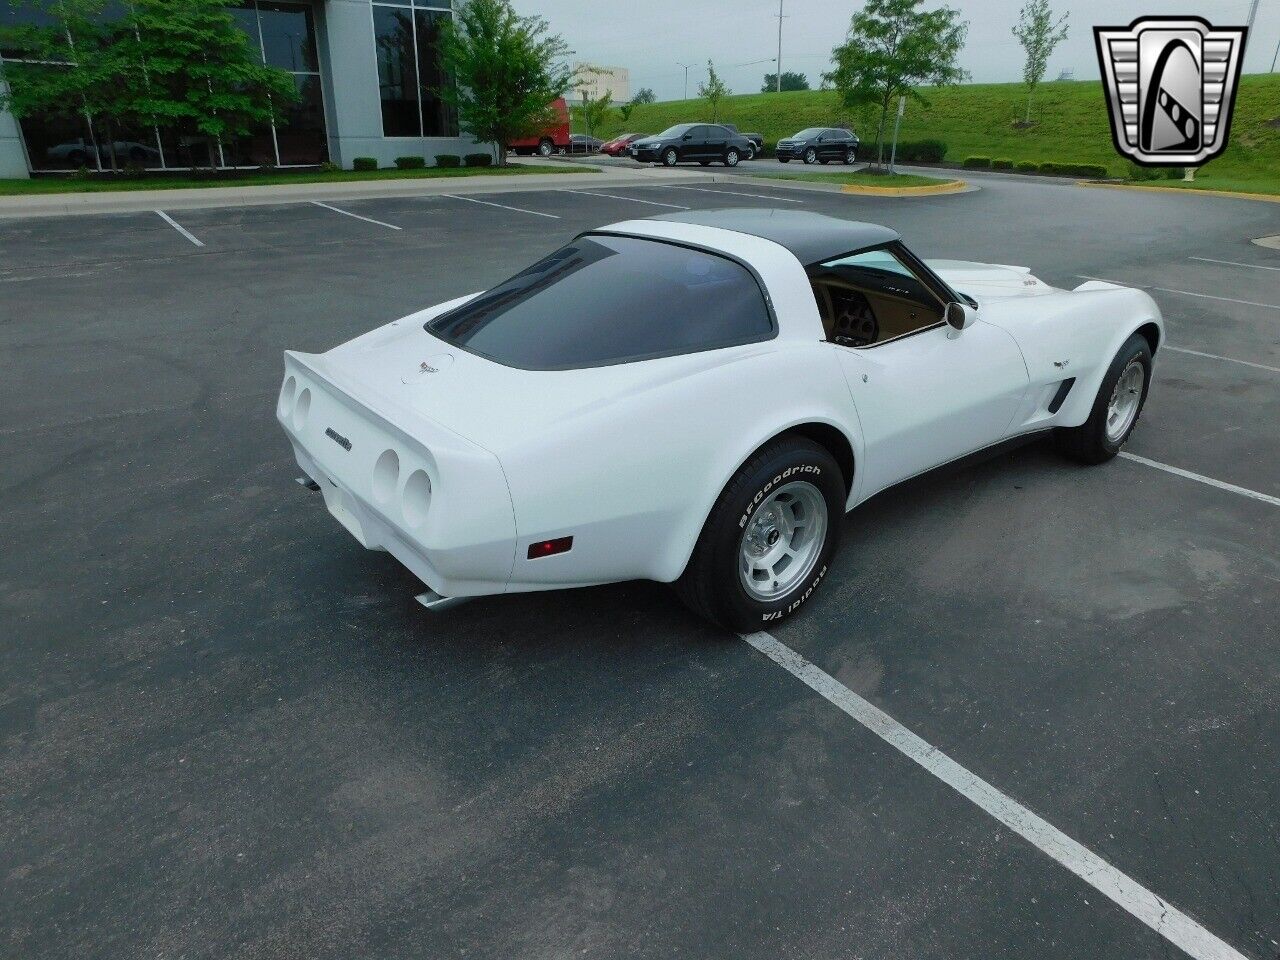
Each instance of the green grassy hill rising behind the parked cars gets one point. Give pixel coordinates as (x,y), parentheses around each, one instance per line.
(979,120)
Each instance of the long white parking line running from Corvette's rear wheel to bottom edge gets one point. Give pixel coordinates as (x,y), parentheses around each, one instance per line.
(1171,924)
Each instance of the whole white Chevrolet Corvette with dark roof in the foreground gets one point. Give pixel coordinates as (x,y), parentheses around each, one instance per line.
(697,399)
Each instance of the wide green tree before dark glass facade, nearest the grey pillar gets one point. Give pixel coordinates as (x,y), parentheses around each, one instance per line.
(198,72)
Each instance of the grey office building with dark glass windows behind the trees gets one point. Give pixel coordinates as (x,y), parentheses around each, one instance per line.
(368,76)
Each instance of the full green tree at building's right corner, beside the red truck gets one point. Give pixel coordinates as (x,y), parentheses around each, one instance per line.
(508,72)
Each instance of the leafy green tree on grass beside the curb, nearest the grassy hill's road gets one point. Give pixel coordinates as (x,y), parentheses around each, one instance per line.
(893,48)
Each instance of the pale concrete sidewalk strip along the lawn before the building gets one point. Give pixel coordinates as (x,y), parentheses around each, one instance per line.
(143,200)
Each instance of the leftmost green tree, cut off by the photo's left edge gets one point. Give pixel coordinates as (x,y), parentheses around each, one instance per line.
(77,70)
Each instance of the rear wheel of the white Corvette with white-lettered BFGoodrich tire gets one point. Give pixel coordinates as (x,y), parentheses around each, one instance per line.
(770,538)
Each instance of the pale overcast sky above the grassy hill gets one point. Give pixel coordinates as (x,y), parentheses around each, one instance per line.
(652,38)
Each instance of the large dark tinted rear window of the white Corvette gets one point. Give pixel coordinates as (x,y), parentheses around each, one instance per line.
(611,300)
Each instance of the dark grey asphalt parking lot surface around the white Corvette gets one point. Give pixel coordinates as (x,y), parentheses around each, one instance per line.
(228,730)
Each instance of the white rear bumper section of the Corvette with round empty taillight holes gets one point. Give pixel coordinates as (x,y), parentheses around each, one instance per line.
(399,481)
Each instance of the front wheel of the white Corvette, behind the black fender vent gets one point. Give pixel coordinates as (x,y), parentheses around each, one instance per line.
(1116,410)
